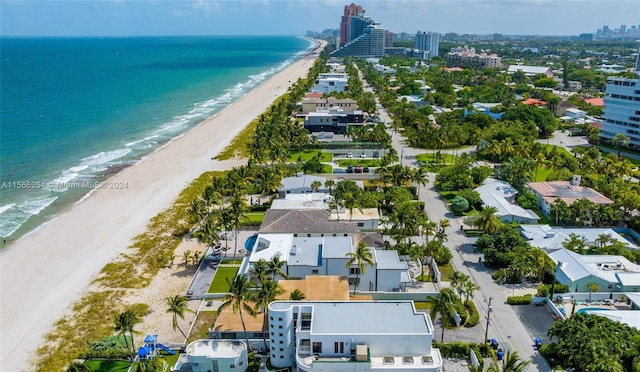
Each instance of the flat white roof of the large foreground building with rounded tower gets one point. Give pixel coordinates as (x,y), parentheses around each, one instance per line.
(363,317)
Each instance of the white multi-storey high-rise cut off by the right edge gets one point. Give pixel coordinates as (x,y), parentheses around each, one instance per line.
(622,109)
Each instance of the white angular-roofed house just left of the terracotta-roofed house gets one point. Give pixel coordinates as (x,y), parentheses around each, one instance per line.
(501,195)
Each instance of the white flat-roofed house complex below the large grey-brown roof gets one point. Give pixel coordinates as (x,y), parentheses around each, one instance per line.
(305,256)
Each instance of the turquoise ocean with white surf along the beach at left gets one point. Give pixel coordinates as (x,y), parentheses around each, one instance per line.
(74,111)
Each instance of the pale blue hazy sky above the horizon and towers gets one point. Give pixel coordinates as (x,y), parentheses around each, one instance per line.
(295,17)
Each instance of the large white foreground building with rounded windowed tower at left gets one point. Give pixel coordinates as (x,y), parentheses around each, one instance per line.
(351,336)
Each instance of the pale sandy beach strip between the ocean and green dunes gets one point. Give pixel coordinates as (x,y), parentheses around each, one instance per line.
(46,271)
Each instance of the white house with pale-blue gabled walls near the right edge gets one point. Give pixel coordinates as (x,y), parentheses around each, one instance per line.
(576,271)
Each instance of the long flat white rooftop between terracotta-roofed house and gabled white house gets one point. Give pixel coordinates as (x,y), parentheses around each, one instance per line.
(547,237)
